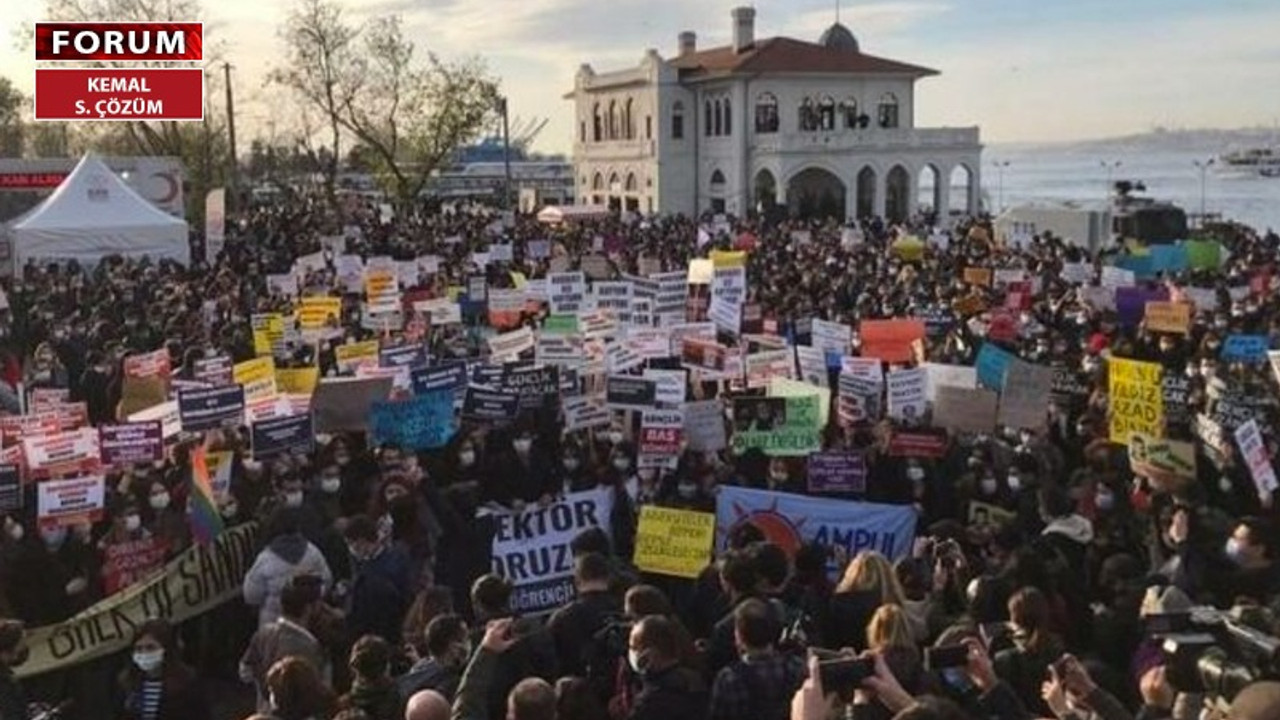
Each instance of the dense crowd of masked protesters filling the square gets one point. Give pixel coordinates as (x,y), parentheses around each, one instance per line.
(373,598)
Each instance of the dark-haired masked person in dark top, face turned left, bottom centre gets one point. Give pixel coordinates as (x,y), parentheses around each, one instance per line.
(669,691)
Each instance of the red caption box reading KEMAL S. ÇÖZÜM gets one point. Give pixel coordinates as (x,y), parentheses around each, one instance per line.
(127,94)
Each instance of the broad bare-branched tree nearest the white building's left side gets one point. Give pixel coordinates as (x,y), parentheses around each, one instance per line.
(413,119)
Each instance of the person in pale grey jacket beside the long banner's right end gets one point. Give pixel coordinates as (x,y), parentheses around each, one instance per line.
(286,555)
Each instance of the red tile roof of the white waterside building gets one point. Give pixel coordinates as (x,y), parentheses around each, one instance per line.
(788,56)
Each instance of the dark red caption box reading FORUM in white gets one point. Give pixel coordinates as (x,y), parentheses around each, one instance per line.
(120,42)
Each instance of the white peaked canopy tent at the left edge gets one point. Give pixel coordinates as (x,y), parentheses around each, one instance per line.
(92,216)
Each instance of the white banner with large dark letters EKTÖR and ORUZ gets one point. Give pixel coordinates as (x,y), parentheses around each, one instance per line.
(532,548)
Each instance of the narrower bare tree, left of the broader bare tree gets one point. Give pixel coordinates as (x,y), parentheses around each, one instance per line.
(321,49)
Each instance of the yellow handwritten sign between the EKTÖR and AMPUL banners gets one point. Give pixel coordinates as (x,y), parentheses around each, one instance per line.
(674,543)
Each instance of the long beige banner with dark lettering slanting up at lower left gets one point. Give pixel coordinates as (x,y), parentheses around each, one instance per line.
(200,580)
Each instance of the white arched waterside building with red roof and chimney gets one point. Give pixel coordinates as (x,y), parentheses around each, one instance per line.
(696,133)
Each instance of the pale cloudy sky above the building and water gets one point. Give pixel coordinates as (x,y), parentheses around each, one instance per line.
(1022,70)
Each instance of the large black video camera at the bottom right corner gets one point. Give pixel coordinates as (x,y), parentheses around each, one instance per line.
(1213,654)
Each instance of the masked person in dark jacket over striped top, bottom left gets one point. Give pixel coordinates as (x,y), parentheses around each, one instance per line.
(157,685)
